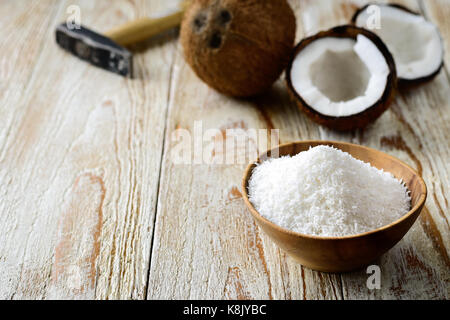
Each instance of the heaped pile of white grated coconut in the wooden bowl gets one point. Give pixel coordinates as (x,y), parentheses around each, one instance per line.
(326,192)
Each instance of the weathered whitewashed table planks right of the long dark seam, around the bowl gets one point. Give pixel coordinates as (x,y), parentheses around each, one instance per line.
(275,111)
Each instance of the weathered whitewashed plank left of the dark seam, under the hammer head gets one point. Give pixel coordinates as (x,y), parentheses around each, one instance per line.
(80,166)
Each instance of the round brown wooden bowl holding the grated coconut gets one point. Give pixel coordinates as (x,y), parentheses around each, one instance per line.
(341,254)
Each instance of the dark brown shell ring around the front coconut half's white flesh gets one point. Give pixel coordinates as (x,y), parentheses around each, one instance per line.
(359,120)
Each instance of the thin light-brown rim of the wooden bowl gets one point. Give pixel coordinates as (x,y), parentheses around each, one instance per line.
(258,216)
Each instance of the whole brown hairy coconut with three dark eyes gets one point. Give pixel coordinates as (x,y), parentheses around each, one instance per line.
(238,47)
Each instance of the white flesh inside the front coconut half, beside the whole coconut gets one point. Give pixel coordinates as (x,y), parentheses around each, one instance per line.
(340,77)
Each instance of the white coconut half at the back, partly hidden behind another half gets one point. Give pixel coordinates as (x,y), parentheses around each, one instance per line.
(414,42)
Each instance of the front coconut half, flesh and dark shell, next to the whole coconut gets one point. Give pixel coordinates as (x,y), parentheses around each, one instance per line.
(343,78)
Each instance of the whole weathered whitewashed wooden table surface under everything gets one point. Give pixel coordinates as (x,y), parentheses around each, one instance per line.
(92,206)
